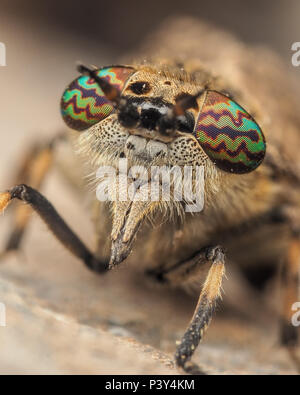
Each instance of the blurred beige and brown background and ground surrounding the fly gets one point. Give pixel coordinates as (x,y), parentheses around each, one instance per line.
(44,287)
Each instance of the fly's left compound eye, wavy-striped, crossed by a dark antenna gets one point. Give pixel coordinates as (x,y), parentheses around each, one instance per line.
(84,104)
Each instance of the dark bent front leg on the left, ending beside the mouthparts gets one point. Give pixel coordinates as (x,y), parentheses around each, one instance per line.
(54,222)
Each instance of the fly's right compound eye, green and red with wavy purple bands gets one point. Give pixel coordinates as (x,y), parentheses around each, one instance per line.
(229,135)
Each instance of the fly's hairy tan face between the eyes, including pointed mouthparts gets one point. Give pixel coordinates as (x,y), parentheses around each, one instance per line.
(152,94)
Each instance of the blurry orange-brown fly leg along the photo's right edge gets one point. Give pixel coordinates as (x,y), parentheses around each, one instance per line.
(289,334)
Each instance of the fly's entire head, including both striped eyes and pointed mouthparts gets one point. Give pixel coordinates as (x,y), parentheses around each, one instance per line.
(163,116)
